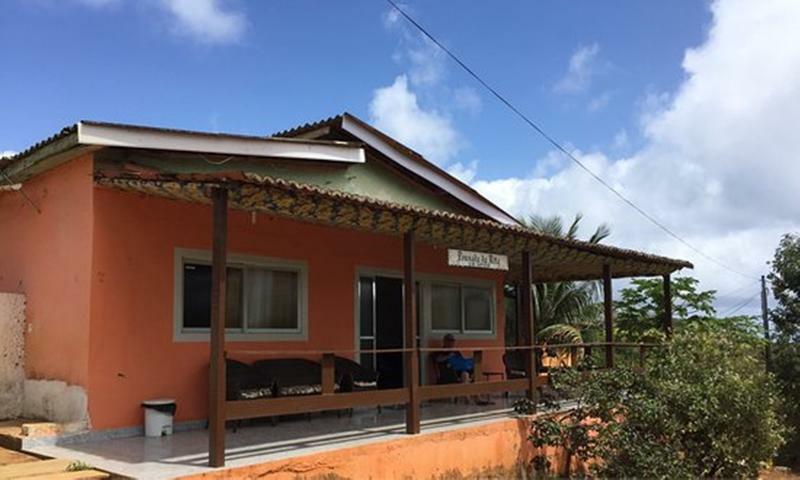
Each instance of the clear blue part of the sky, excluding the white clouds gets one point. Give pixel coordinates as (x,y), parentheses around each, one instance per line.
(300,61)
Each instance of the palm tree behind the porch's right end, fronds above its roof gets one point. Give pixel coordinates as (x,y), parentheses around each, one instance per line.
(566,311)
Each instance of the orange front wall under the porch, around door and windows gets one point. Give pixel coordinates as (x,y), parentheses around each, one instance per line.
(132,353)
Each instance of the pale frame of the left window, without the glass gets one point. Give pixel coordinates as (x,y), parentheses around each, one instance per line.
(182,256)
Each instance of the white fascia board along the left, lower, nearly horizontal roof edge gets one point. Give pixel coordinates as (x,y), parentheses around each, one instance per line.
(145,138)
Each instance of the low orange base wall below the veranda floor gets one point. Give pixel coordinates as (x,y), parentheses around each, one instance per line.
(498,449)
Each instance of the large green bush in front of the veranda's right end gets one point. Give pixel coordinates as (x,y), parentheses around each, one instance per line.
(703,406)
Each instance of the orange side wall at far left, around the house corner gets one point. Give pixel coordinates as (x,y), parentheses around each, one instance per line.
(47,256)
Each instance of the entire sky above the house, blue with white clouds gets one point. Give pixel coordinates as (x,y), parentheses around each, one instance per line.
(688,107)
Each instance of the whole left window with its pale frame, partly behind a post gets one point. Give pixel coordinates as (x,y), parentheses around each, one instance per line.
(263,297)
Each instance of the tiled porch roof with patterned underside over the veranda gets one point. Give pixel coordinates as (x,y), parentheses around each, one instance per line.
(554,258)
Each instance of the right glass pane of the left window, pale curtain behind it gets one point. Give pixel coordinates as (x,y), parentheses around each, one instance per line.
(271,298)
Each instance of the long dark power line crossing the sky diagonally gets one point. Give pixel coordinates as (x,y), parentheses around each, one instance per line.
(556,144)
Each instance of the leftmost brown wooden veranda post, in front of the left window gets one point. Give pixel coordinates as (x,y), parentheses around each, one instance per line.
(216,400)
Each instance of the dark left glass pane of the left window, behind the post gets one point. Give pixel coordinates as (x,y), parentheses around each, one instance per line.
(197,296)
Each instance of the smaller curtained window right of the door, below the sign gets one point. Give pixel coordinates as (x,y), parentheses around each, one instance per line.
(461,308)
